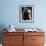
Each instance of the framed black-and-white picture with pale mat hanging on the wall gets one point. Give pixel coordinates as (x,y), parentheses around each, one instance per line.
(26,13)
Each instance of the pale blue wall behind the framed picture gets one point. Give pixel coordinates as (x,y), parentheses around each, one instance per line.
(10,13)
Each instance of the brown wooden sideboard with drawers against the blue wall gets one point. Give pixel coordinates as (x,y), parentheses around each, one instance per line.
(23,39)
